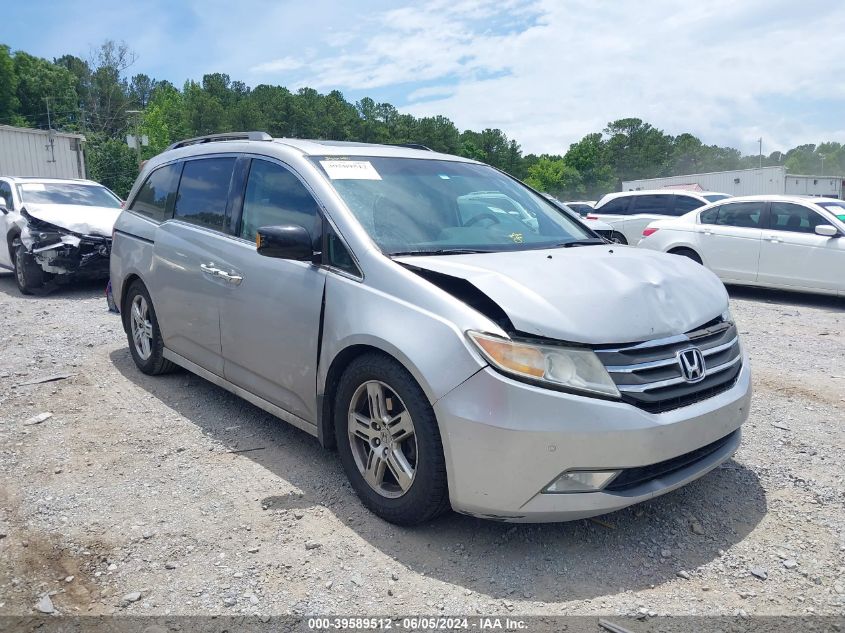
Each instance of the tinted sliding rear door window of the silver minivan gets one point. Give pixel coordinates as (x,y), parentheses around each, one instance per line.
(204,191)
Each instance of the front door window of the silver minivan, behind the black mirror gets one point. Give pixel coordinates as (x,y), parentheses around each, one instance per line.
(275,196)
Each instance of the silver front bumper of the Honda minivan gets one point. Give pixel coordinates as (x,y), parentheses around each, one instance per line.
(505,441)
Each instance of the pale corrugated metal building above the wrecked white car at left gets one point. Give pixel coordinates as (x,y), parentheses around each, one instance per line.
(40,153)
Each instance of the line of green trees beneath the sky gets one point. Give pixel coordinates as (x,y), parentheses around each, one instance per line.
(101,99)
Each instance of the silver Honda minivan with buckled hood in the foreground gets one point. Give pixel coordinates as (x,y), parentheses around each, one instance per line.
(512,366)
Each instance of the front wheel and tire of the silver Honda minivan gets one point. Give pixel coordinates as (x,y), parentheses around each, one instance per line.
(425,494)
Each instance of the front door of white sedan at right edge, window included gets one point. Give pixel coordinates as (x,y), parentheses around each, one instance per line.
(793,255)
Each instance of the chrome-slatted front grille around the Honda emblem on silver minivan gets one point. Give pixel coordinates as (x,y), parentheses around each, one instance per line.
(649,375)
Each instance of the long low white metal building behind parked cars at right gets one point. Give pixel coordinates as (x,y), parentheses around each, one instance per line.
(744,182)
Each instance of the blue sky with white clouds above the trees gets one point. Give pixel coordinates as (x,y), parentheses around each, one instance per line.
(546,72)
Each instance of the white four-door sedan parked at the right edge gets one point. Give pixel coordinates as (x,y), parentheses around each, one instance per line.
(786,242)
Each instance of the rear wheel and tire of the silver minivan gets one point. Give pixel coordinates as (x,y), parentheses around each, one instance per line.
(141,322)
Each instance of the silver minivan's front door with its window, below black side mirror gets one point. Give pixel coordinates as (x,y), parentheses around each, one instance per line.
(270,318)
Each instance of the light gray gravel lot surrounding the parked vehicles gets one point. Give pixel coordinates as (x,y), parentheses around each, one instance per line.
(133,497)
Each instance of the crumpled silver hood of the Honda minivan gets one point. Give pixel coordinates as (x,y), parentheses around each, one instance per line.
(590,294)
